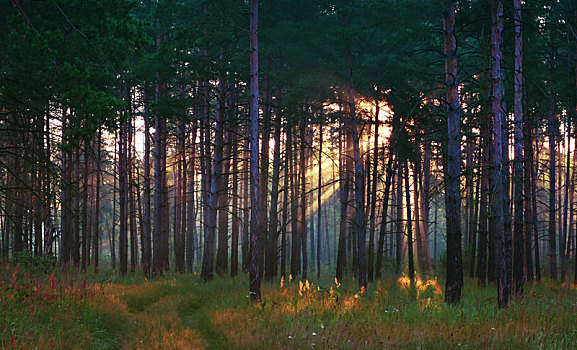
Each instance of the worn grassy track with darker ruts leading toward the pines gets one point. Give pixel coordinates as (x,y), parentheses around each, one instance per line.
(170,314)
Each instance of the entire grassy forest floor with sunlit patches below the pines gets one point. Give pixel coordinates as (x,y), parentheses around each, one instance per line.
(87,311)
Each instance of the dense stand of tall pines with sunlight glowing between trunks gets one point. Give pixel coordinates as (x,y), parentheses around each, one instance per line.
(368,135)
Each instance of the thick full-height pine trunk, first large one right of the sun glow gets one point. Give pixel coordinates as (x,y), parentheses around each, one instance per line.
(454,281)
